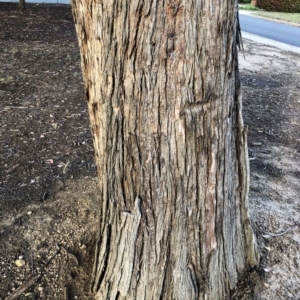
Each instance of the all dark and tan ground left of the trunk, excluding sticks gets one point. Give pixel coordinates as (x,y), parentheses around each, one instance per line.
(47,183)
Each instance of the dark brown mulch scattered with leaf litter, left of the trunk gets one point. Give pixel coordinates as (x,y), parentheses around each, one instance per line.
(44,135)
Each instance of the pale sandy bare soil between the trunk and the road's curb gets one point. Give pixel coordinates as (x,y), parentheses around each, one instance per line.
(271,88)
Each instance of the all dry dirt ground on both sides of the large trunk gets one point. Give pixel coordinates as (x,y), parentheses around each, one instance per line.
(48,191)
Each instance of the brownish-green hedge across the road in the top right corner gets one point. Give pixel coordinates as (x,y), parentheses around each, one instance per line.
(292,6)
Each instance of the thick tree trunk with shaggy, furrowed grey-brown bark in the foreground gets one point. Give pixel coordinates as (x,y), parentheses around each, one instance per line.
(163,93)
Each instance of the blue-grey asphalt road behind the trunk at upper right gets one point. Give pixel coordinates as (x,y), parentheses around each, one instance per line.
(272,30)
